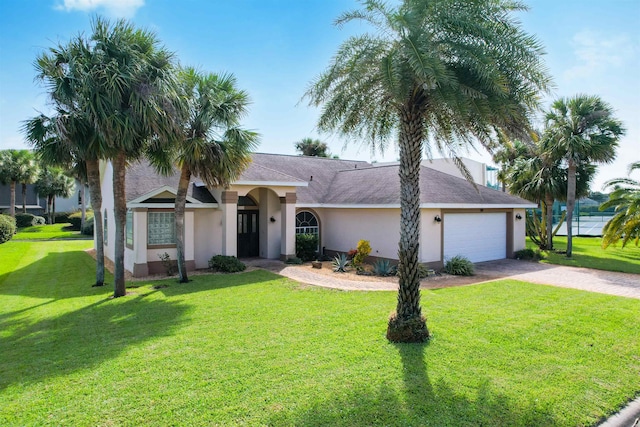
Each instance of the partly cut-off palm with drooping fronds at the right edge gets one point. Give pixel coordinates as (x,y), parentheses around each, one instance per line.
(625,197)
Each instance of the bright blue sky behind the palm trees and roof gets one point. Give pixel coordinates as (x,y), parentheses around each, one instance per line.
(276,47)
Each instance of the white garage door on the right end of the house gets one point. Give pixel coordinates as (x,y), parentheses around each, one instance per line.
(477,236)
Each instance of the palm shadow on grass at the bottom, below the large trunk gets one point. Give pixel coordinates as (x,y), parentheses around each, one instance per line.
(418,403)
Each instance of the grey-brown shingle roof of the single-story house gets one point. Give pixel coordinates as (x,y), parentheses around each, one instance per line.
(334,182)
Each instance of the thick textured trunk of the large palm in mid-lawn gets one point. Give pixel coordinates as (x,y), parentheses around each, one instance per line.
(407,323)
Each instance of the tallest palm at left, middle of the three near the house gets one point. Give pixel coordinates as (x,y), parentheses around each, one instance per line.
(123,84)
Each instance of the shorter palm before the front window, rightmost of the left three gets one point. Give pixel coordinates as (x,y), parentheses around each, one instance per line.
(212,145)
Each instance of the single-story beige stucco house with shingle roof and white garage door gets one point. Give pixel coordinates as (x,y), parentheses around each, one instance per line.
(342,201)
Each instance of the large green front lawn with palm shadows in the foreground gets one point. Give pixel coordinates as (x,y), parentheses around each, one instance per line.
(256,349)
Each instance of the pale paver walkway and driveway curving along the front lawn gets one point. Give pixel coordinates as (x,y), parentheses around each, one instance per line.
(606,282)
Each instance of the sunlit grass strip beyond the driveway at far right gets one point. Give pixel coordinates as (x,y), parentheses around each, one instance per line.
(588,252)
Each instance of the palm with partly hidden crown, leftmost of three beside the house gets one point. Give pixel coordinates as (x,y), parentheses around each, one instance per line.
(68,140)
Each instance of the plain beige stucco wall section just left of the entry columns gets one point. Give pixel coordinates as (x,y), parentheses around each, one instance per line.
(208,236)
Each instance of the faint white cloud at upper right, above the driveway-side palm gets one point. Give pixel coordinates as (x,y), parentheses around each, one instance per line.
(597,52)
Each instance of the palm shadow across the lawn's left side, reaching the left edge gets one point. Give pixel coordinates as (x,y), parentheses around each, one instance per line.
(75,340)
